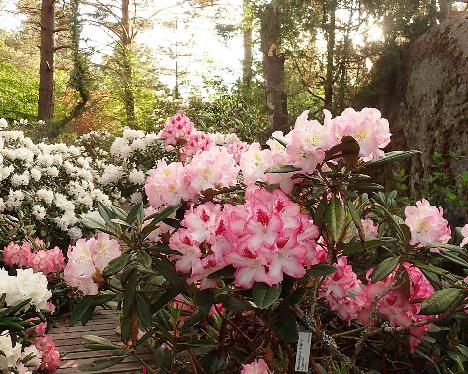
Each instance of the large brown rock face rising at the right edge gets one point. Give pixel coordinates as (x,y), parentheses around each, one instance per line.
(429,109)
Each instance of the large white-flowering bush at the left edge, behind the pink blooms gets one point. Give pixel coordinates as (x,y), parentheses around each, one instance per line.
(52,184)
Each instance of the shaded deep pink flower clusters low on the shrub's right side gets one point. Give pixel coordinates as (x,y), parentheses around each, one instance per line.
(351,300)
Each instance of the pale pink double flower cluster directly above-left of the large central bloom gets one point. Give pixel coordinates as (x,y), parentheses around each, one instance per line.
(171,184)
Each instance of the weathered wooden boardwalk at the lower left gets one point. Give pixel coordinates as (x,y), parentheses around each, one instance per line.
(73,353)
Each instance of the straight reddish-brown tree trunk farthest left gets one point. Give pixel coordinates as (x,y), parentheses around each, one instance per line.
(46,72)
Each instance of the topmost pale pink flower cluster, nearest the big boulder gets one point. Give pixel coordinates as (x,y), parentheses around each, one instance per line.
(366,126)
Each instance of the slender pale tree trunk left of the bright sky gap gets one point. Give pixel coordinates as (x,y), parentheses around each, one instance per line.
(126,40)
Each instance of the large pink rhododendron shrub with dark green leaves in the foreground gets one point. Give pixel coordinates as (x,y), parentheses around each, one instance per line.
(241,246)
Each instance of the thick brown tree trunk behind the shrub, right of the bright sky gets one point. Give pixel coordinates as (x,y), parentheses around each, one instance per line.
(273,68)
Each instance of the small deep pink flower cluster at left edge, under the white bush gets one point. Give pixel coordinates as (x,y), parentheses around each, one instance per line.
(37,257)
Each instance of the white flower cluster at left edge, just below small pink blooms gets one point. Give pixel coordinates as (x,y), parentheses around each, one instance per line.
(25,285)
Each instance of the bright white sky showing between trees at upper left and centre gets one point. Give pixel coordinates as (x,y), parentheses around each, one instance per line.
(210,55)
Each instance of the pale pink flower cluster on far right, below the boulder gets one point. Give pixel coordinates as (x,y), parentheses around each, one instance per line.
(427,224)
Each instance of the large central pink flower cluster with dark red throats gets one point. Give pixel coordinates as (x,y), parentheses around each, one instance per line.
(262,239)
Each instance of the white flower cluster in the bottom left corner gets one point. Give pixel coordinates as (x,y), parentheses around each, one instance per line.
(14,355)
